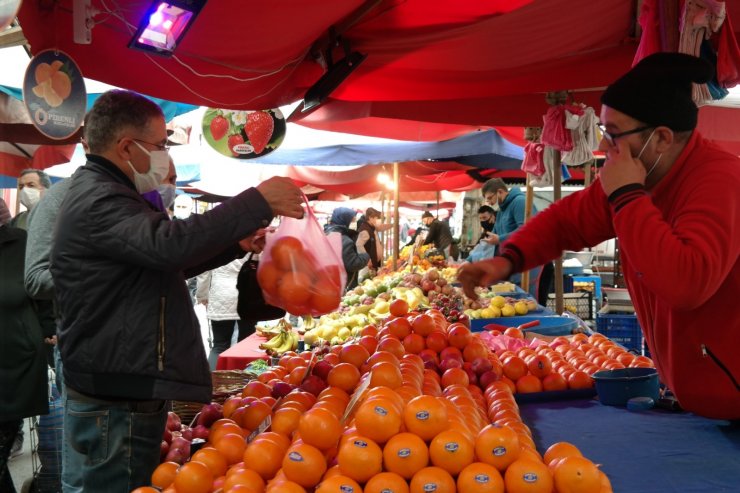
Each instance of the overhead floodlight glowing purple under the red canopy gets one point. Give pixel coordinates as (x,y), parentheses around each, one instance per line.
(164,25)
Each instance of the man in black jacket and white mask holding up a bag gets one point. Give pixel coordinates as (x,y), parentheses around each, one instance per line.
(129,337)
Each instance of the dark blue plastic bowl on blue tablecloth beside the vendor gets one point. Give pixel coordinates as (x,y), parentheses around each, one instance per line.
(616,387)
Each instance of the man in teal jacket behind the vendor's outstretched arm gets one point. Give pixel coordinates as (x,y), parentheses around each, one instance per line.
(509,205)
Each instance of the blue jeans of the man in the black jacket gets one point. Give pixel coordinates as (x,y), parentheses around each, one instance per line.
(118,442)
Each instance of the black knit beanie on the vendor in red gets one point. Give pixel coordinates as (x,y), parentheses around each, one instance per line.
(657,91)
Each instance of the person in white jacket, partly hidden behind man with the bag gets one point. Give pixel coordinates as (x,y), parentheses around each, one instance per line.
(216,289)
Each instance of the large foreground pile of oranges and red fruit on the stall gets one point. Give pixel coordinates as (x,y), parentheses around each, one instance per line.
(413,403)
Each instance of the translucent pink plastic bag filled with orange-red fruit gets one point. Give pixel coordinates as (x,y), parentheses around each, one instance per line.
(301,269)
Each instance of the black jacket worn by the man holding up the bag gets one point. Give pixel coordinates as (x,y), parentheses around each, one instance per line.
(128,328)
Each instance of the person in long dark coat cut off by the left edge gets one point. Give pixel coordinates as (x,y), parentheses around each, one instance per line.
(23,381)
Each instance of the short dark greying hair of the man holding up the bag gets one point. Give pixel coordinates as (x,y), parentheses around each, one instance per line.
(115,112)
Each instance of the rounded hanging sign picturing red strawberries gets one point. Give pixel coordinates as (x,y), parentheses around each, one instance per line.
(244,134)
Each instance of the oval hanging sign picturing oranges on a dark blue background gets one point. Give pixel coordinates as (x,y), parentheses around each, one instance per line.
(54,94)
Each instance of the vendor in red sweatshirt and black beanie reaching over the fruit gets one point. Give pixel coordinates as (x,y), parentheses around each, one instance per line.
(673,201)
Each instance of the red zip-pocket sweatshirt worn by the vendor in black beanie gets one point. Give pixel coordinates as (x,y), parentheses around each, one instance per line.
(680,252)
